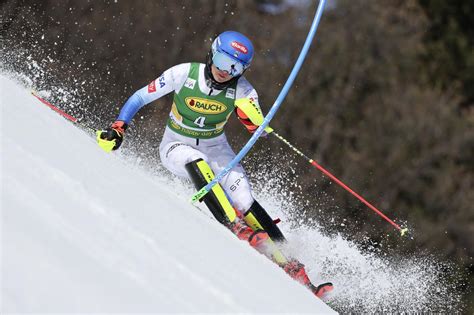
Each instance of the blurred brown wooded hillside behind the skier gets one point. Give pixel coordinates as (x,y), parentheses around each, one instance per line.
(385,99)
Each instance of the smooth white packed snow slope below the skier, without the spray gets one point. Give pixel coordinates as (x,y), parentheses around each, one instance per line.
(83,231)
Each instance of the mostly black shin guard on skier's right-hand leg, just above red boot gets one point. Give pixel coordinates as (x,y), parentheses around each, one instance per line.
(257,218)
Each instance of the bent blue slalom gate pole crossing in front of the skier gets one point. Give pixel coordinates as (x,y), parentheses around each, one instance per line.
(284,91)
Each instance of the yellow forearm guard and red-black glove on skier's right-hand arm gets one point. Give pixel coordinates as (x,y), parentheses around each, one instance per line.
(250,115)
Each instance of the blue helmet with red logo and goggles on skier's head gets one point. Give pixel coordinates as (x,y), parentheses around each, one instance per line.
(232,52)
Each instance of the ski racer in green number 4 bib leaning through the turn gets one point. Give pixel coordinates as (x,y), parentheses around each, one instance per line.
(195,146)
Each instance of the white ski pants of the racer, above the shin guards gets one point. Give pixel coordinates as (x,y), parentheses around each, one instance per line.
(177,150)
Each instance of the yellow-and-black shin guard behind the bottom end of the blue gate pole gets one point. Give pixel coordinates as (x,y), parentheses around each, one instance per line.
(216,200)
